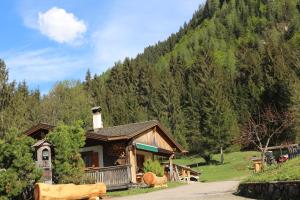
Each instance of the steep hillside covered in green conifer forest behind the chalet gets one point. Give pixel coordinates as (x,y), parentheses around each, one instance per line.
(231,60)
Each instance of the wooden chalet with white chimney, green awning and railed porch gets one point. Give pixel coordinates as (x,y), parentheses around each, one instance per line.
(115,155)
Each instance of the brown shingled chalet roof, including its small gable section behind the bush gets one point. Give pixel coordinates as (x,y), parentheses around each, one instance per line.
(121,132)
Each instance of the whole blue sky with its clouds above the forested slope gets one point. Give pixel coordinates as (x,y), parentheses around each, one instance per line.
(46,41)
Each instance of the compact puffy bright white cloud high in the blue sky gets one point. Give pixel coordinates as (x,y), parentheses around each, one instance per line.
(61,26)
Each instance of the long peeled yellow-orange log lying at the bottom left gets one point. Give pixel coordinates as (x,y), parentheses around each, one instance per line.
(44,191)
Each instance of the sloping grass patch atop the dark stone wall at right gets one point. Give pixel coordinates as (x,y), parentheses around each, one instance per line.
(287,171)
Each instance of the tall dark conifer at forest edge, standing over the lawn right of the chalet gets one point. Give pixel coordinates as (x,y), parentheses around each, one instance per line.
(216,120)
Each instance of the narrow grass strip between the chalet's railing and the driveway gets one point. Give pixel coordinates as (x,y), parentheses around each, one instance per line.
(135,191)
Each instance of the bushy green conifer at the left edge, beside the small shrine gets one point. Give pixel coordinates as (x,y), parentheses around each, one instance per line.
(18,172)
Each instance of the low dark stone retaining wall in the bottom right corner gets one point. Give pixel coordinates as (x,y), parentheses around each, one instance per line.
(271,190)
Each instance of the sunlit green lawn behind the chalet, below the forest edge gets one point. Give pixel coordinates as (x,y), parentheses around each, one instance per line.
(235,167)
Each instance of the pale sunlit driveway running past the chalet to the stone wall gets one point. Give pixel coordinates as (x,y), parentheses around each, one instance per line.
(193,191)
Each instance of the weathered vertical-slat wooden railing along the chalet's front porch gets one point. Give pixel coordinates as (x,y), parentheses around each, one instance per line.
(115,177)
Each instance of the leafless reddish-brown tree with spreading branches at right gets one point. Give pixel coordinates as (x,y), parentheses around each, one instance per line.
(260,129)
